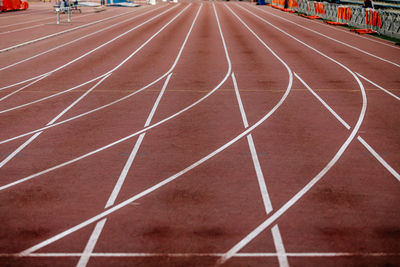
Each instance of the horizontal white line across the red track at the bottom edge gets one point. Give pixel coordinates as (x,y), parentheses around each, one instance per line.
(243,255)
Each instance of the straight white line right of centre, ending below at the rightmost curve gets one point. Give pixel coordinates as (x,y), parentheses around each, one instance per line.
(260,176)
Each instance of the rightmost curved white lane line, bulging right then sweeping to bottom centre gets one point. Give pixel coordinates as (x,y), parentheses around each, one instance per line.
(247,239)
